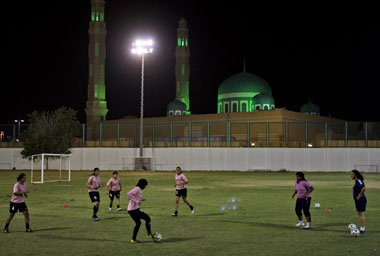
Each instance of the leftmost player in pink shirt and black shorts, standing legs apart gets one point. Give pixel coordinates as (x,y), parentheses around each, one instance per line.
(18,203)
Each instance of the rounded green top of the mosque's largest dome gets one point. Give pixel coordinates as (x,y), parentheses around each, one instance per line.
(244,82)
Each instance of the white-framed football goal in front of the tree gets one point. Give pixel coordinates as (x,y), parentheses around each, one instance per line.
(50,168)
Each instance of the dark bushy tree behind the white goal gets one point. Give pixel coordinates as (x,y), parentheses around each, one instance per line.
(51,132)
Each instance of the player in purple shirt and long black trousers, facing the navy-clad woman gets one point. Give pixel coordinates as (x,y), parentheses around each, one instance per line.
(303,189)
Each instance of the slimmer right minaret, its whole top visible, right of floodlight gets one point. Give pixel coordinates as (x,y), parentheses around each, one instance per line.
(182,67)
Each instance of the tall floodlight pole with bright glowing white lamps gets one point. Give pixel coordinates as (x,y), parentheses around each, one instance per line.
(142,47)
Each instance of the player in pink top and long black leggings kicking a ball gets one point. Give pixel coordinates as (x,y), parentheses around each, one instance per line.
(135,199)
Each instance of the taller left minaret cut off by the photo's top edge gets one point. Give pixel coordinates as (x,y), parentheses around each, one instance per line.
(96,107)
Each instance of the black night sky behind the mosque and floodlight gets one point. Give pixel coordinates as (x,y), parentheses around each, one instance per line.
(323,56)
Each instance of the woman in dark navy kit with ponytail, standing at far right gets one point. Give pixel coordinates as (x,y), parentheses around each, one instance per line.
(359,197)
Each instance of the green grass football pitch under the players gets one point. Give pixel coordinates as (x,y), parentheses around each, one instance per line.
(263,223)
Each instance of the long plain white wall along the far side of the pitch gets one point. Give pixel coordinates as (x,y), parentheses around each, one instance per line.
(242,159)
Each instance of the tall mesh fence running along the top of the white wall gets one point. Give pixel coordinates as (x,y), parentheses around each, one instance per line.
(215,134)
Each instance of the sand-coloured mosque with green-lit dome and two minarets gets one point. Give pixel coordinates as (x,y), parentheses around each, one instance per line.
(244,98)
